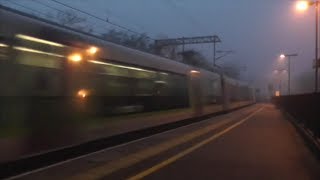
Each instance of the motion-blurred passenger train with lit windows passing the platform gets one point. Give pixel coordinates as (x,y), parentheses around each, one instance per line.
(62,87)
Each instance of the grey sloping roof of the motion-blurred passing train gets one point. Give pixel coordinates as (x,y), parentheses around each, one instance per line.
(112,51)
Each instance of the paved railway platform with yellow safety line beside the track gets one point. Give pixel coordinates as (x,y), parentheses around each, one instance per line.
(256,142)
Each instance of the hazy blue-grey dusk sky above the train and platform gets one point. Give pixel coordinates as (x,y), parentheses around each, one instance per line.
(257,30)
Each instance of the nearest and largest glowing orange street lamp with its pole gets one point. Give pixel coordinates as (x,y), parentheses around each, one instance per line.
(302,6)
